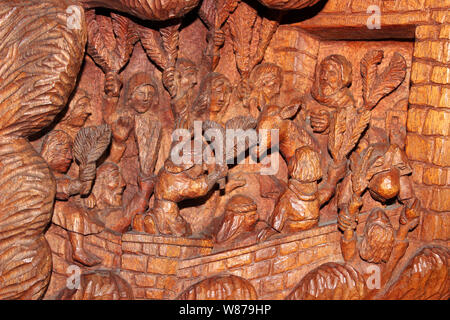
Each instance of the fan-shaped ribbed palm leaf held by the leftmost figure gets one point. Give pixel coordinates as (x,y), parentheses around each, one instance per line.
(90,143)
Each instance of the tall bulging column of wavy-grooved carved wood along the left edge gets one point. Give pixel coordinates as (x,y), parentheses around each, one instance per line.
(42,46)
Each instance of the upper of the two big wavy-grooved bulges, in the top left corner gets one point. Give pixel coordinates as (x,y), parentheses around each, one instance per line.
(36,84)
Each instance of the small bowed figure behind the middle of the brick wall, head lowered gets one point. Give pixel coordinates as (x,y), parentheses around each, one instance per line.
(240,224)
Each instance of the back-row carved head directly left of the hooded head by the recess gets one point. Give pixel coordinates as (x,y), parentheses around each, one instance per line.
(266,79)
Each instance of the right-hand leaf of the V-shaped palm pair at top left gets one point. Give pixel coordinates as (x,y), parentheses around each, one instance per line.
(126,36)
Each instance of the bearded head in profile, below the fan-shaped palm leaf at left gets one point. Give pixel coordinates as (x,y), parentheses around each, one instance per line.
(109,186)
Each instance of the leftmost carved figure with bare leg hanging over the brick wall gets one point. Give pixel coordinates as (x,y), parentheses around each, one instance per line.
(69,213)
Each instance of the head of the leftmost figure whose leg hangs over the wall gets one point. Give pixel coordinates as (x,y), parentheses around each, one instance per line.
(52,145)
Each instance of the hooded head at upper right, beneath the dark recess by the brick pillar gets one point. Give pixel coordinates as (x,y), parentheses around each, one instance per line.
(333,74)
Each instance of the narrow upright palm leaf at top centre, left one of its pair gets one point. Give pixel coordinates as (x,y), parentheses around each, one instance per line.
(241,23)
